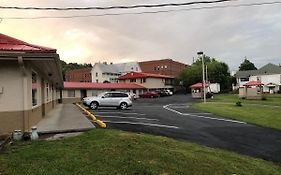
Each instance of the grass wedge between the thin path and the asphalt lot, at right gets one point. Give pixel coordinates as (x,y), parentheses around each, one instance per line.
(263,116)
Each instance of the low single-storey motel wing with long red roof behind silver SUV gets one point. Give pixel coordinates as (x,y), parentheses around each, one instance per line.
(74,91)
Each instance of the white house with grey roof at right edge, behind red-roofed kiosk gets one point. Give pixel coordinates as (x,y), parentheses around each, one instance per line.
(269,75)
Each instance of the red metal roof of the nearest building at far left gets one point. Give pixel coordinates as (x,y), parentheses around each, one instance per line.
(8,43)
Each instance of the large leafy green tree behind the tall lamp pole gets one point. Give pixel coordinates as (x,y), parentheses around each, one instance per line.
(218,72)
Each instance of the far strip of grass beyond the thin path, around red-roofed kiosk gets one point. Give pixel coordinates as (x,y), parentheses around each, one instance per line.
(272,99)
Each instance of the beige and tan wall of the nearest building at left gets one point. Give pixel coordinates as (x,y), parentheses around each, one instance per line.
(16,110)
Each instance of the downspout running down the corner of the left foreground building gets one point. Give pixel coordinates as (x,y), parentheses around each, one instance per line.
(24,84)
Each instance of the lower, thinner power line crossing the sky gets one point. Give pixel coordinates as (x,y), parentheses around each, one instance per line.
(148,12)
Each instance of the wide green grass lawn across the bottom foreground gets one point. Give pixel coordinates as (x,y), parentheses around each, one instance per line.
(117,152)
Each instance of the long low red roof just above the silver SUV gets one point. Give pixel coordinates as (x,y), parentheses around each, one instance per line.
(87,85)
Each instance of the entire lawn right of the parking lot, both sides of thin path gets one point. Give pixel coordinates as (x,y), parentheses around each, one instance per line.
(267,116)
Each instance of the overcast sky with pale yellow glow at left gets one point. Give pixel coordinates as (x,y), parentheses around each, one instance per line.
(227,34)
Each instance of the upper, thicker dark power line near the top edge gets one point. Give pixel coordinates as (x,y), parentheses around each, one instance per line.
(115,7)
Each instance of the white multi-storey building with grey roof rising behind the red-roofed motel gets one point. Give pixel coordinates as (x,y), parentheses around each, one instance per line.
(104,72)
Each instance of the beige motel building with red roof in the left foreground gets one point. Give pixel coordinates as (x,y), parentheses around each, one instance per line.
(30,83)
